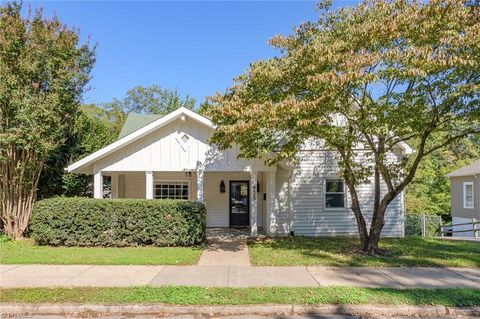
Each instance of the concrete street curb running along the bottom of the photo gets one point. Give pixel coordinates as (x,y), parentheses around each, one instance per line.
(9,309)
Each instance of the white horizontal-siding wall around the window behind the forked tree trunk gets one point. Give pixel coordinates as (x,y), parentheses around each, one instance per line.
(311,218)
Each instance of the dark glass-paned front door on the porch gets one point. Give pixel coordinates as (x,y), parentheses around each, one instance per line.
(239,203)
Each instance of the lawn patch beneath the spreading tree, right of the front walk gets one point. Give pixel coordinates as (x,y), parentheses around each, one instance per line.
(409,251)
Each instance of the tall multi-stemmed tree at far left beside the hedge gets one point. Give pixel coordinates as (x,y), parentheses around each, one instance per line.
(43,73)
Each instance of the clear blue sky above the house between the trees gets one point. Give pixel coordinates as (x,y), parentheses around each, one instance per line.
(196,47)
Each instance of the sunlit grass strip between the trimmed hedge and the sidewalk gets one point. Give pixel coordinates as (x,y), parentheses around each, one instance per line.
(24,252)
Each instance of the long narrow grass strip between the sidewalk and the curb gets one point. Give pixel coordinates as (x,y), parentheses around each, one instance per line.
(244,296)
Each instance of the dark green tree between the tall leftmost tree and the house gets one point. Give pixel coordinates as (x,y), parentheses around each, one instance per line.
(90,131)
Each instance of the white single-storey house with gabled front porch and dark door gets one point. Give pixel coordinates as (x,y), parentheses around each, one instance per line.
(170,157)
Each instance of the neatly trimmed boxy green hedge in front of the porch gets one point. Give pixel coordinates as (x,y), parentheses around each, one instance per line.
(77,221)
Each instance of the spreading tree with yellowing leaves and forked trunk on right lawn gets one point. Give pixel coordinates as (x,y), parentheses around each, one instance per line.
(369,77)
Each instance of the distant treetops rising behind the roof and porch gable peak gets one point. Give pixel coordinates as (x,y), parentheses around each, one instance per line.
(146,100)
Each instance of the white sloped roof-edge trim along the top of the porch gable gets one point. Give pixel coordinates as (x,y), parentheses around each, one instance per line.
(135,135)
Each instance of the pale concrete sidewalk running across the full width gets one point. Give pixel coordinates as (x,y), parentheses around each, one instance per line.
(235,276)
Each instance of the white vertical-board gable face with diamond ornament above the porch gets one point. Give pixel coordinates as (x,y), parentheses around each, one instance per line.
(162,151)
